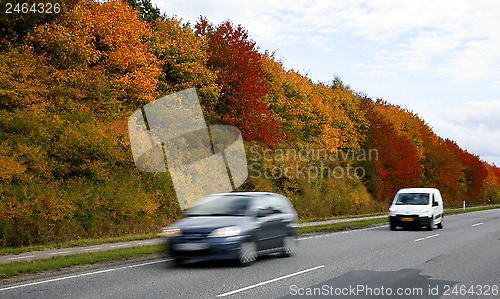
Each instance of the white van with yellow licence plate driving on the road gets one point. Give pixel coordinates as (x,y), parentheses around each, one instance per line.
(416,207)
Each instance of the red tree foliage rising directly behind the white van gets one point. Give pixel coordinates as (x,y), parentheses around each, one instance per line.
(397,165)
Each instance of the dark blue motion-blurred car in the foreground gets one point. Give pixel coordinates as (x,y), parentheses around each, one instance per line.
(237,225)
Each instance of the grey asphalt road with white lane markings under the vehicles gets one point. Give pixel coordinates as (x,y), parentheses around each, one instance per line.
(461,260)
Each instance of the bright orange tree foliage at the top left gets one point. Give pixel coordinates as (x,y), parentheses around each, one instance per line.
(101,44)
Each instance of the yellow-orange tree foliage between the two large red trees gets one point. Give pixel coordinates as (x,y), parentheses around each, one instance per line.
(313,112)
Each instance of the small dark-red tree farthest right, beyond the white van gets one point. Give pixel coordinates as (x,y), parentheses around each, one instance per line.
(474,170)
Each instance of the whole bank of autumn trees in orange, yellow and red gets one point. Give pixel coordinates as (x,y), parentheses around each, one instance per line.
(69,82)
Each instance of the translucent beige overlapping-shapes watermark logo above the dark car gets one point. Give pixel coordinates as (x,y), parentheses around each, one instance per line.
(171,134)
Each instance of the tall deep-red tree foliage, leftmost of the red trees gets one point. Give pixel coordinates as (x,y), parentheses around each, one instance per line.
(242,78)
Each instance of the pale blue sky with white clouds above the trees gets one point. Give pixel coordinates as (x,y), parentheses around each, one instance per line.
(439,59)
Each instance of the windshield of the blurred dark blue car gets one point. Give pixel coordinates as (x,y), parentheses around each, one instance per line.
(223,205)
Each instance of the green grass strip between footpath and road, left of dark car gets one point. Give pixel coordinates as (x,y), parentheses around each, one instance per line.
(59,262)
